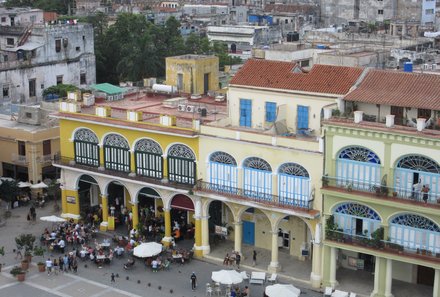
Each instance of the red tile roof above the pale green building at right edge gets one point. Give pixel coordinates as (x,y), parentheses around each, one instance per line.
(418,90)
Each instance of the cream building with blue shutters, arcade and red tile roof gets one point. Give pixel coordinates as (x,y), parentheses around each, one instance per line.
(264,179)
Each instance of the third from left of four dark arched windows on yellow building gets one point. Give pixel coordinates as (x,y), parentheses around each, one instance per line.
(148,158)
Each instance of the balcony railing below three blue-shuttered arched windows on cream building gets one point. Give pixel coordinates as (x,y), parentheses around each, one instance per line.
(252,196)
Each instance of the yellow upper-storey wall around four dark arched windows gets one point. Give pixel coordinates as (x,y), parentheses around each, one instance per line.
(67,128)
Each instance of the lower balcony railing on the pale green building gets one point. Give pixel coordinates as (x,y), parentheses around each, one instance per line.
(423,253)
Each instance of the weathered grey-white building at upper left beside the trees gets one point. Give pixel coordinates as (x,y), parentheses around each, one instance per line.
(35,56)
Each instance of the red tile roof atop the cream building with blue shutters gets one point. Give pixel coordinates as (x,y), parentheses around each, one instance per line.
(279,75)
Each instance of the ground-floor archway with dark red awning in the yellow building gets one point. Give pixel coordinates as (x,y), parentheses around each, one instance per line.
(182,220)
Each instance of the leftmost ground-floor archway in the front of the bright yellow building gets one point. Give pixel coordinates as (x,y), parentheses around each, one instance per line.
(89,195)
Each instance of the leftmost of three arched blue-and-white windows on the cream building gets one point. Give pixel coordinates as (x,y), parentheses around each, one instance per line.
(223,172)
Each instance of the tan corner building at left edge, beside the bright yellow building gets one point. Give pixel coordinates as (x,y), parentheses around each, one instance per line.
(29,144)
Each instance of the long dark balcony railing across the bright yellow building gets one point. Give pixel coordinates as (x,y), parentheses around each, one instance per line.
(70,162)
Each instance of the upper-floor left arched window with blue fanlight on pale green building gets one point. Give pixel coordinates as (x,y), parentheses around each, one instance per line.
(358,167)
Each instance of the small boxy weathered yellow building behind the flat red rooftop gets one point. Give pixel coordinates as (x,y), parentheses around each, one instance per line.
(193,74)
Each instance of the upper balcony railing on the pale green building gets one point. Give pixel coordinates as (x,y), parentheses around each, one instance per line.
(379,190)
